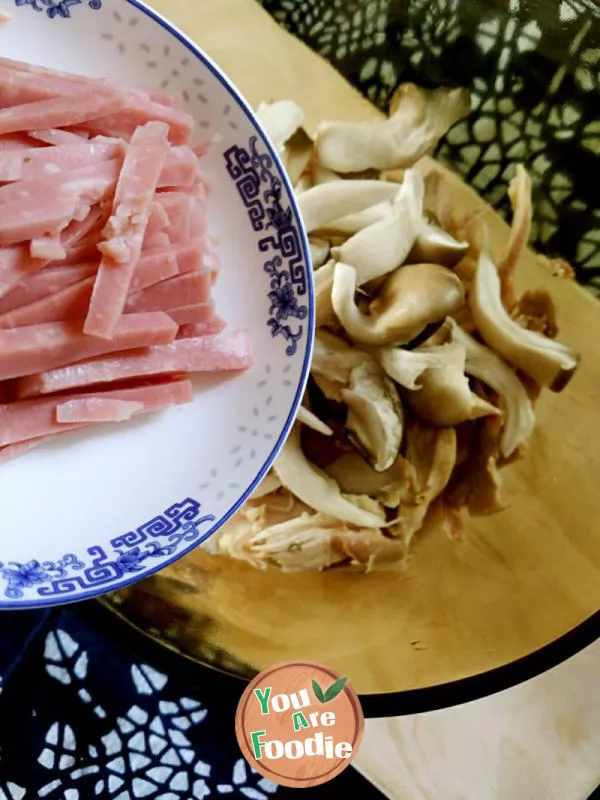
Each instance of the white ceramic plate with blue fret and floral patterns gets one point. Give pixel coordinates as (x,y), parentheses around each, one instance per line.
(104,508)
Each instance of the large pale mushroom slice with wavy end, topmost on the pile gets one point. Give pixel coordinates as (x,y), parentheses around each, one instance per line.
(420,118)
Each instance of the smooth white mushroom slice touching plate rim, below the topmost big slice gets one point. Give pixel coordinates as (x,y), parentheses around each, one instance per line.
(323,204)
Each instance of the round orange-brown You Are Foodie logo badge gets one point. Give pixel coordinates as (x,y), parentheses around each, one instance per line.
(348,717)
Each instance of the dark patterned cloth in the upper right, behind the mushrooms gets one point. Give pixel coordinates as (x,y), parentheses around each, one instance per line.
(533,68)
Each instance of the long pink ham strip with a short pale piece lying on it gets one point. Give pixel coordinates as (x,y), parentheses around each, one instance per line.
(30,419)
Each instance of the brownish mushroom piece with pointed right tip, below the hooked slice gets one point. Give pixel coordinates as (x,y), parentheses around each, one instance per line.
(444,396)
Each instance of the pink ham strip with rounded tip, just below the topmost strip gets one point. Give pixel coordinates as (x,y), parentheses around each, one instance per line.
(60,112)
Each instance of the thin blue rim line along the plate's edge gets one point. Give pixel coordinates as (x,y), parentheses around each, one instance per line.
(245,106)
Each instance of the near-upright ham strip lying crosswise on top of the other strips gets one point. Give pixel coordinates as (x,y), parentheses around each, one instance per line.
(133,197)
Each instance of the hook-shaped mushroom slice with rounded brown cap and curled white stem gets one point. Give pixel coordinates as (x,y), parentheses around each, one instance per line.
(411,299)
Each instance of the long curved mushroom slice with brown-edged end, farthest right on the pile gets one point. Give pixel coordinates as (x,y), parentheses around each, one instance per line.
(547,361)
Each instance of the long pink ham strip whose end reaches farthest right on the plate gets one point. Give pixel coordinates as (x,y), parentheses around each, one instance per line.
(226,353)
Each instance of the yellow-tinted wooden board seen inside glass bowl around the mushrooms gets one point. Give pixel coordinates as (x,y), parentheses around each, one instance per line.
(520,579)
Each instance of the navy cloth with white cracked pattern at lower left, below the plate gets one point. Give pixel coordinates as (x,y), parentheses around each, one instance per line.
(84,717)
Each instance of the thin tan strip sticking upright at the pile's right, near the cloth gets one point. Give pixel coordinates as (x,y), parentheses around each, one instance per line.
(519,194)
